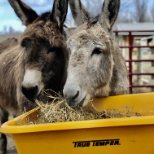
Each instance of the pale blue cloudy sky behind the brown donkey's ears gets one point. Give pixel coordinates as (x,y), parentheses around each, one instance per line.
(8,17)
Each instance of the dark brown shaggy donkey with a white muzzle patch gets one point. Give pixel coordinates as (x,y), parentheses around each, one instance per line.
(37,62)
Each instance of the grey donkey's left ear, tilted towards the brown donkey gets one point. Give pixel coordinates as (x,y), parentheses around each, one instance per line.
(79,12)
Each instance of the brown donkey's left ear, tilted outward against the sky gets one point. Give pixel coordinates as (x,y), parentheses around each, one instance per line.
(24,12)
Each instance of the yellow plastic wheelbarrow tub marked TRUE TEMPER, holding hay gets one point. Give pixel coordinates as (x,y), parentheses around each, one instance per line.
(130,135)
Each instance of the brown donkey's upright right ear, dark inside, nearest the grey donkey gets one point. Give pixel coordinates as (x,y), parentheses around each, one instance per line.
(59,12)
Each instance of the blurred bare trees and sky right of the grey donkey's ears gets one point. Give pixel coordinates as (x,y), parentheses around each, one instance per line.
(136,11)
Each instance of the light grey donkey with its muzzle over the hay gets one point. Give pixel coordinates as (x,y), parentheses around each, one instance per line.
(96,66)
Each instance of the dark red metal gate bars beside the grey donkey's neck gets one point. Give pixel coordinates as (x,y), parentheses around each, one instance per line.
(130,47)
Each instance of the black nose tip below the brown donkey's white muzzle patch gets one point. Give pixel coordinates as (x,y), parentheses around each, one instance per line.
(30,93)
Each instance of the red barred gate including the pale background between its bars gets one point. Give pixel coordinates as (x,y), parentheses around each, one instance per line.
(137,44)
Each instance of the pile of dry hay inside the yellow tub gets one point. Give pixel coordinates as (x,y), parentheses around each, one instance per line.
(59,111)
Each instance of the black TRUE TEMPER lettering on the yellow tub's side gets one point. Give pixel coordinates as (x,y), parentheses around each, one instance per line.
(93,143)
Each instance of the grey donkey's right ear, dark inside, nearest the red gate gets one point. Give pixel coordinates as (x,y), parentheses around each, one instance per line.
(109,13)
